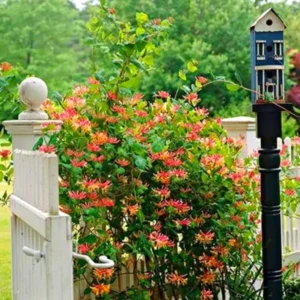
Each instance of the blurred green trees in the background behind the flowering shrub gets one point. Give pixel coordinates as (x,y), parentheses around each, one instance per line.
(50,39)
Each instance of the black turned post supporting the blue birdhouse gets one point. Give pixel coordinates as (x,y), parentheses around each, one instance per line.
(268,130)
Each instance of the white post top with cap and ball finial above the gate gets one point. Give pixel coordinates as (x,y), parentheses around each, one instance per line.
(28,128)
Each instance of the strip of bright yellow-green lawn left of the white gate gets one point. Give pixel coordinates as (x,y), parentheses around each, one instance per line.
(5,272)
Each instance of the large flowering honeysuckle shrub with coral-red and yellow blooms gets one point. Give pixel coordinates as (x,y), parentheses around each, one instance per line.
(158,185)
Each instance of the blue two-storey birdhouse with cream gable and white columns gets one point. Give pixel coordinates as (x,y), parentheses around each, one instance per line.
(267,58)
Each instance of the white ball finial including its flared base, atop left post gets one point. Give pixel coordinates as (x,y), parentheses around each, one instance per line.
(33,92)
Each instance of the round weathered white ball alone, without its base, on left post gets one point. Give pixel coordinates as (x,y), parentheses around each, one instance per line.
(33,92)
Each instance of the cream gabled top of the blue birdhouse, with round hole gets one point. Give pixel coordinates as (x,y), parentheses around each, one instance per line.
(270,14)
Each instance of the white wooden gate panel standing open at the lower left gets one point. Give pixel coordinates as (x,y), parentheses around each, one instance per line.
(42,266)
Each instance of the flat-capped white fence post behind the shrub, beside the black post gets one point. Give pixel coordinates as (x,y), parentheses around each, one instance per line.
(242,127)
